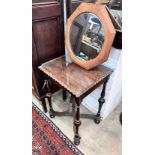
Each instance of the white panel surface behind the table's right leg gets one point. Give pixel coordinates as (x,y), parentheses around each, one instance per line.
(113,95)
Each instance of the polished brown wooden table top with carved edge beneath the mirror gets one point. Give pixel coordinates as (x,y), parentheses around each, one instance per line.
(72,77)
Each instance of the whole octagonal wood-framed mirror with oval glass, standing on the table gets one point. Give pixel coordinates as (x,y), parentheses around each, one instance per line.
(89,35)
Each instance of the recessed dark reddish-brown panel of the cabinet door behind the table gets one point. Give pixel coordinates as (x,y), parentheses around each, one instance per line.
(47,39)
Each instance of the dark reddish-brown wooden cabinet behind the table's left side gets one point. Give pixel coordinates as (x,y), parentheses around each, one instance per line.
(47,39)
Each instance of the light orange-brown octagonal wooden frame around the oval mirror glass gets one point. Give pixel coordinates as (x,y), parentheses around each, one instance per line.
(109,34)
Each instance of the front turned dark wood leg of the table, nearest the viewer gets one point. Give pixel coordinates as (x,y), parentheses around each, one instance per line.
(77,121)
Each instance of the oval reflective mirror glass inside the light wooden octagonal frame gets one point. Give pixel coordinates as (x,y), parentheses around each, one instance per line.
(86,36)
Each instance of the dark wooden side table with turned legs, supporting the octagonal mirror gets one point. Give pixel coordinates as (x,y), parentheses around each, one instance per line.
(79,83)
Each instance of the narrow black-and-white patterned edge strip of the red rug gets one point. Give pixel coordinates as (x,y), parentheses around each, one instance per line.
(57,130)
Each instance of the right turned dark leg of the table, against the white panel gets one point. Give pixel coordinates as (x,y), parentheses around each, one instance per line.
(101,102)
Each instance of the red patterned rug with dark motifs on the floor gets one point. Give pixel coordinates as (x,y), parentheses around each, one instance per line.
(47,138)
